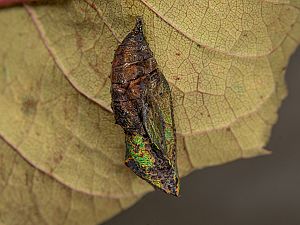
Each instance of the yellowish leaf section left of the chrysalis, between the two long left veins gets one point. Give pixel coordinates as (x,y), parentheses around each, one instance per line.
(54,127)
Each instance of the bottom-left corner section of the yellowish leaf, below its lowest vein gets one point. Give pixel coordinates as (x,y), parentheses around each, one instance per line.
(29,196)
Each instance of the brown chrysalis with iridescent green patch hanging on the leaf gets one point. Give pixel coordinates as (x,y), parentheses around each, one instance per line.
(142,105)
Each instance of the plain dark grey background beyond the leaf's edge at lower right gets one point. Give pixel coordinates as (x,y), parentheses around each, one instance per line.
(258,191)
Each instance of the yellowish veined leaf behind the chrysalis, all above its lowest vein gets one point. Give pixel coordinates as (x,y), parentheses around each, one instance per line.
(224,61)
